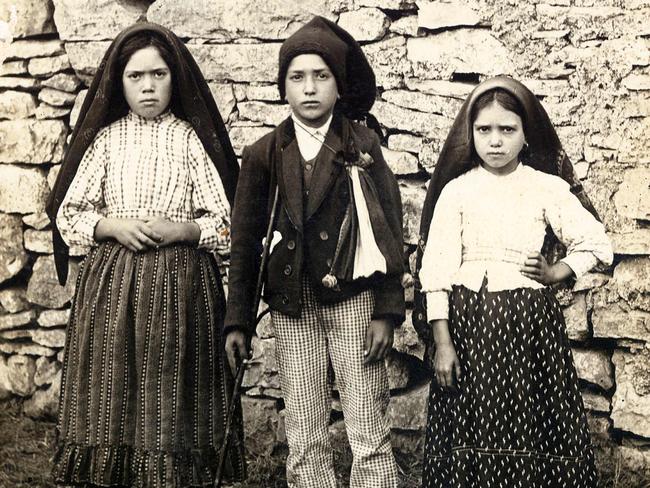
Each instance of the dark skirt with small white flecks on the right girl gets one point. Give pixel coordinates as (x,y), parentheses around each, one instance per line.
(517,419)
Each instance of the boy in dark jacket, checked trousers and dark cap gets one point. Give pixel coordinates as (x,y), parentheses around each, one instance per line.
(333,275)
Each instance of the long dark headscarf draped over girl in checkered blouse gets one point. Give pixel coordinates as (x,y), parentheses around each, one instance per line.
(104,104)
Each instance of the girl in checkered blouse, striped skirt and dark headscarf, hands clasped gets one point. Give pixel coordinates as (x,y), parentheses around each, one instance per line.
(146,185)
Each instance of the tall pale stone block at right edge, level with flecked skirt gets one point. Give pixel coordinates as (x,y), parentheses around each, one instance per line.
(631,402)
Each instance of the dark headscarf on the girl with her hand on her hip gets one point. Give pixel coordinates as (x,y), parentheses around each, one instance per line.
(457,157)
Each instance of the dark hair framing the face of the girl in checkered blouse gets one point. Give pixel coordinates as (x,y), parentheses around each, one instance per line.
(142,40)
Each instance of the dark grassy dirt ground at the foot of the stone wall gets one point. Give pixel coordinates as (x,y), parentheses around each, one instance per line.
(26,446)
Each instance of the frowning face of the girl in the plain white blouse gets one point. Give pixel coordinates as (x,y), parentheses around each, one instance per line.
(498,138)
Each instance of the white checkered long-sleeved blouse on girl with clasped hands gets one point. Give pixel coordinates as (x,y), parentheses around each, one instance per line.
(140,168)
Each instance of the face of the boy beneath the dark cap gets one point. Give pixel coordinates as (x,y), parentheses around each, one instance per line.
(311,89)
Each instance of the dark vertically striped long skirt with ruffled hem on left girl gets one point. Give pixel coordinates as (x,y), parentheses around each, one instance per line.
(145,384)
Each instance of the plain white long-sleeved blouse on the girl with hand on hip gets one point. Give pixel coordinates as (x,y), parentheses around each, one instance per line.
(486,225)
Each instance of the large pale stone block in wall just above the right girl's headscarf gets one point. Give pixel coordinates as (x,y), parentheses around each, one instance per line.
(458,51)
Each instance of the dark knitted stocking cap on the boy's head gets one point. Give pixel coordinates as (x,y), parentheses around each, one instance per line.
(355,78)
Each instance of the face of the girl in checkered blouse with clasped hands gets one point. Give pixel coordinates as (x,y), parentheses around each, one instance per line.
(147,83)
